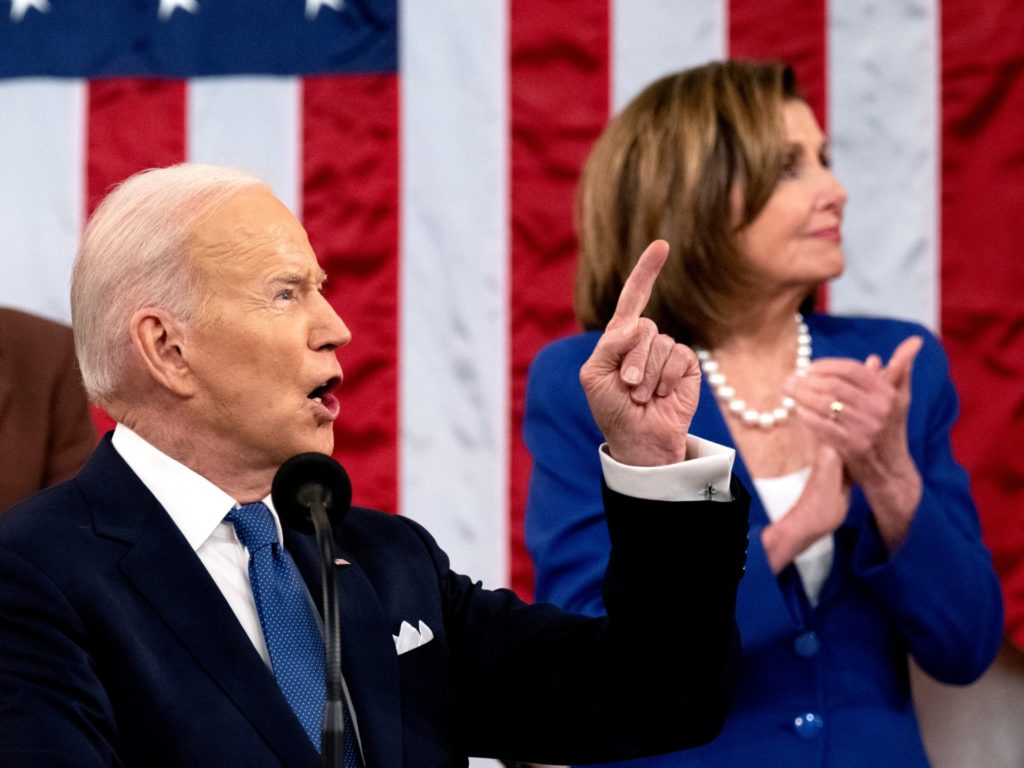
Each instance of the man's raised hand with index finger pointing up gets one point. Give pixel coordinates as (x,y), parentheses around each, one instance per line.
(642,386)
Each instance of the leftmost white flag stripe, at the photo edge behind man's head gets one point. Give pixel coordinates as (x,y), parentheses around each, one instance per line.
(41,192)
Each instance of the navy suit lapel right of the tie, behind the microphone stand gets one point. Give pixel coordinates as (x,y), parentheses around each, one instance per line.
(369,661)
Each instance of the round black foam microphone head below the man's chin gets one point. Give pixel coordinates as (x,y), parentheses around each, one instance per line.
(308,479)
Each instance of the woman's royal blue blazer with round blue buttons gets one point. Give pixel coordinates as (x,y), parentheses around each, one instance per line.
(825,687)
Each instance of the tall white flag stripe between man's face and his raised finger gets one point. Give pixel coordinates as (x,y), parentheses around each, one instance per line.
(455,369)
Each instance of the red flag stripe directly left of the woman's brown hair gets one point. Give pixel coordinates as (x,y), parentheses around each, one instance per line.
(560,103)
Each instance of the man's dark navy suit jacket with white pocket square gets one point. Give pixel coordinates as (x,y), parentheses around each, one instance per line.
(117,648)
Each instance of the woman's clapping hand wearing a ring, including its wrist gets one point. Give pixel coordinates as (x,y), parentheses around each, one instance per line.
(861,410)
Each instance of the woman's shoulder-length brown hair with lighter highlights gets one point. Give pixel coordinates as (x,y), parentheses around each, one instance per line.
(677,163)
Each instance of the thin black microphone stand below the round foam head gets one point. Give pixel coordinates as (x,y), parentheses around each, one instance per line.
(333,730)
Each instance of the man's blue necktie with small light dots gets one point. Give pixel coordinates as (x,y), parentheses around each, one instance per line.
(289,622)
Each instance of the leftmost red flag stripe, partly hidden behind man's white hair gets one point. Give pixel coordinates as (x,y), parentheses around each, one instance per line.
(133,124)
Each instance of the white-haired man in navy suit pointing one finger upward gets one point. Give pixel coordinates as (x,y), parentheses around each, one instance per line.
(154,614)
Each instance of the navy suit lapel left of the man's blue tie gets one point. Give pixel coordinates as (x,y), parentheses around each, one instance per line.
(169,576)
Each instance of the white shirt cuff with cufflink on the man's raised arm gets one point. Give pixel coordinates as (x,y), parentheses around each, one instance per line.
(704,476)
